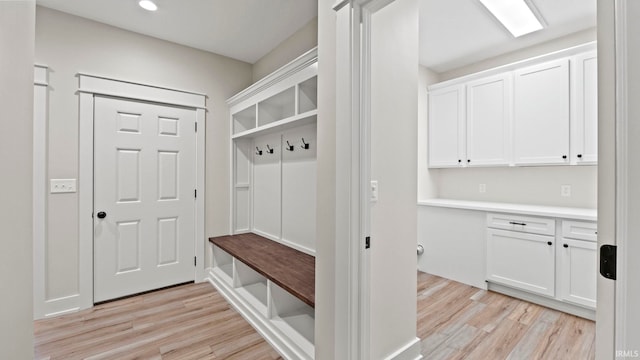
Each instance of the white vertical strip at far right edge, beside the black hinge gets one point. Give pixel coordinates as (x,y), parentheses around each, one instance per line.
(627,50)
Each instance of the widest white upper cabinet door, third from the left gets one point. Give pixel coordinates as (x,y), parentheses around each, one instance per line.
(541,114)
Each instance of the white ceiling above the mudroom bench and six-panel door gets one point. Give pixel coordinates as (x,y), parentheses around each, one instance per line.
(241,29)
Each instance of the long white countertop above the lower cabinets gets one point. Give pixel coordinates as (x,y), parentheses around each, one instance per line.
(523,209)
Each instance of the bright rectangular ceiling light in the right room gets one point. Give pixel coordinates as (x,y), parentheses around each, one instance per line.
(515,15)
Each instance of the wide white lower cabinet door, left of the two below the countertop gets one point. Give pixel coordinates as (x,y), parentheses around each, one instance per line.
(523,261)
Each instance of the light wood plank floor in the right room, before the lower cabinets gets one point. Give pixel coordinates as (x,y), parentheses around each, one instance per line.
(457,321)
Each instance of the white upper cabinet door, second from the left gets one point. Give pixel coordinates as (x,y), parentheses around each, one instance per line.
(489,120)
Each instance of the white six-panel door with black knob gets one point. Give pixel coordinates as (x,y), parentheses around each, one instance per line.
(144,206)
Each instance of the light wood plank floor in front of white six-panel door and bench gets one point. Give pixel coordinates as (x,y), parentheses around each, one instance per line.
(185,322)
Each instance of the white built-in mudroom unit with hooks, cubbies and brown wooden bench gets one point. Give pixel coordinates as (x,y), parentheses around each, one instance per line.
(266,267)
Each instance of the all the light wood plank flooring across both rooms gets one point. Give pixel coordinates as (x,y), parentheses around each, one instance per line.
(455,321)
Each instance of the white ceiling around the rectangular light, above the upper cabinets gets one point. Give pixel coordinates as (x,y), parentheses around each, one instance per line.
(455,33)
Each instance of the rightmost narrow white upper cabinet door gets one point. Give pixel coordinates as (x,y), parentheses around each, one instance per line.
(585,129)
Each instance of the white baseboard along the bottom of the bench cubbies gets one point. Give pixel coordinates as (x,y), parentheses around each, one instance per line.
(283,345)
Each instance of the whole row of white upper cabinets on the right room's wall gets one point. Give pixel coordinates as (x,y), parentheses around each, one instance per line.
(539,111)
